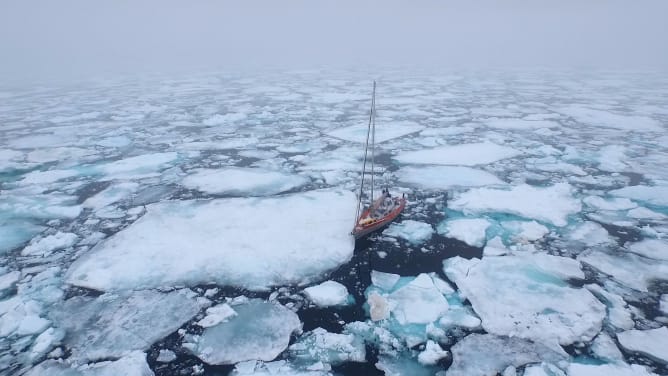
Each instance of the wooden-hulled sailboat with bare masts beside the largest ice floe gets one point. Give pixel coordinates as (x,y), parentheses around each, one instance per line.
(380,210)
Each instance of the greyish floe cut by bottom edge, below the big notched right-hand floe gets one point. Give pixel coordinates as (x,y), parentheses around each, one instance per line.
(488,354)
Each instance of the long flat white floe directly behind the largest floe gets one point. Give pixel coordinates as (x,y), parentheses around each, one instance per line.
(242,181)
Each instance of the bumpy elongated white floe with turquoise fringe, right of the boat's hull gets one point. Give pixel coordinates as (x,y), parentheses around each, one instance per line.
(550,204)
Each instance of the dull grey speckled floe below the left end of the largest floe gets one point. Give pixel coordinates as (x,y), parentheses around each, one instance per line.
(111,326)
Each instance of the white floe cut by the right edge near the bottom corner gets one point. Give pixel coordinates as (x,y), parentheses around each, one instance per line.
(652,343)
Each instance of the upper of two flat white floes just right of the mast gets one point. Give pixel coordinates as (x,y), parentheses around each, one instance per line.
(463,154)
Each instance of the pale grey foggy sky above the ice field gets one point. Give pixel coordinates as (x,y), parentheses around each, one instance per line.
(72,38)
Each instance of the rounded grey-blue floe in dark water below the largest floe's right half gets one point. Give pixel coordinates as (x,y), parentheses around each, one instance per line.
(259,331)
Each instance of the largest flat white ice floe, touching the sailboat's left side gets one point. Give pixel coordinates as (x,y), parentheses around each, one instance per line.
(150,252)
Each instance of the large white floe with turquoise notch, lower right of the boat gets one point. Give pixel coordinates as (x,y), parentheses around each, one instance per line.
(527,296)
